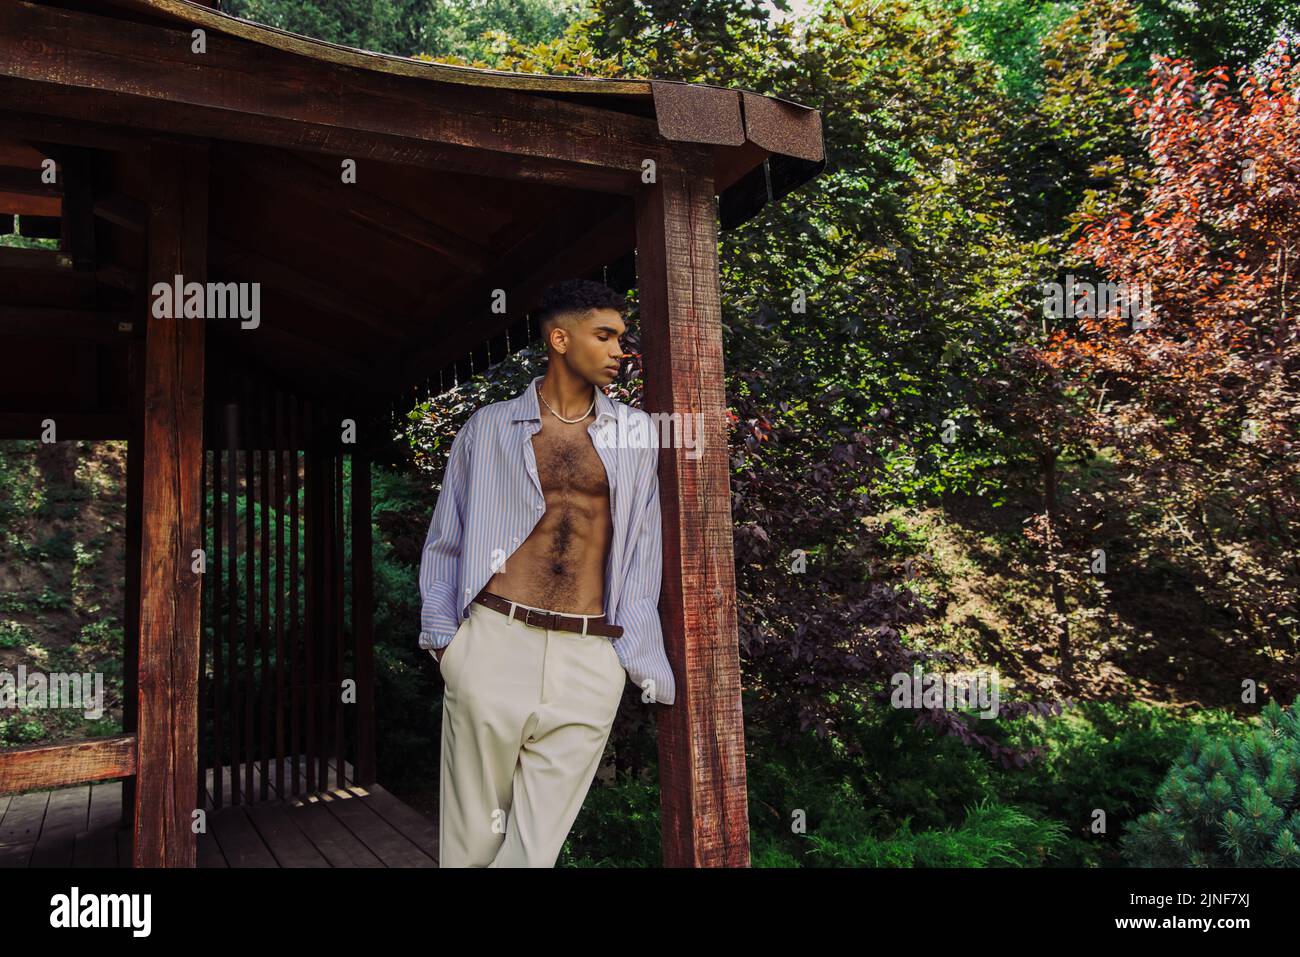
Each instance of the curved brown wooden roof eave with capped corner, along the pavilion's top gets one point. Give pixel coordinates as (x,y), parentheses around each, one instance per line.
(545,137)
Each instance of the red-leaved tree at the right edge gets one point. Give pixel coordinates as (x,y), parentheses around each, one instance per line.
(1207,388)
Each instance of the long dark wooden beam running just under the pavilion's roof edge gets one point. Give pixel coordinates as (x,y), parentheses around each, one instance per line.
(98,58)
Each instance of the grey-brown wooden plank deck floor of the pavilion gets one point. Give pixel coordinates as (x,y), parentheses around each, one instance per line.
(341,828)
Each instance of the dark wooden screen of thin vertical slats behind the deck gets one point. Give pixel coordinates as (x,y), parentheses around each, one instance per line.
(267,434)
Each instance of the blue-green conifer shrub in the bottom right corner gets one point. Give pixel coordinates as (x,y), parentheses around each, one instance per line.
(1228,802)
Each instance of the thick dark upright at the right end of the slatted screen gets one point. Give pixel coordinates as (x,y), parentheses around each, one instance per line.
(363,622)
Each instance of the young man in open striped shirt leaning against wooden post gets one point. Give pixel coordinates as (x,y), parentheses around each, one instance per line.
(540,586)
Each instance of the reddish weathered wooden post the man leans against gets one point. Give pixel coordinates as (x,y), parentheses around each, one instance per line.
(701,735)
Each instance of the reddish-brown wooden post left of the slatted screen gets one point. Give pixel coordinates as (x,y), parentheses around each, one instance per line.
(167,752)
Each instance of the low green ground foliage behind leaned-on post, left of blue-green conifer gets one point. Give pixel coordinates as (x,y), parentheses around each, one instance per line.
(905,796)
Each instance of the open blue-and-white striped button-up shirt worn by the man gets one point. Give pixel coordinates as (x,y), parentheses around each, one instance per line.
(492,500)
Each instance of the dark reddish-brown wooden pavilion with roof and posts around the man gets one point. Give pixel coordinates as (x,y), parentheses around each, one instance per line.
(385,207)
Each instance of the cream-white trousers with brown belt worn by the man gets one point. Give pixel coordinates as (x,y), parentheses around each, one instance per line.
(526,717)
